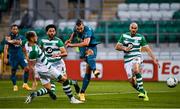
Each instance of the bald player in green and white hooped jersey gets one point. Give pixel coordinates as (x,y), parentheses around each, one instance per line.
(131,43)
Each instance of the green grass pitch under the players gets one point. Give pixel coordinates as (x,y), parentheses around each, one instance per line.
(100,94)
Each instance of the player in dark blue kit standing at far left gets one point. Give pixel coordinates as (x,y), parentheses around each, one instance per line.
(16,56)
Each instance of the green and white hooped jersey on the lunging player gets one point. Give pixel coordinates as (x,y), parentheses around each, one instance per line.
(35,53)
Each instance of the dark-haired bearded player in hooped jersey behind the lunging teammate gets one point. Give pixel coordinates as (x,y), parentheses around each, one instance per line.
(54,50)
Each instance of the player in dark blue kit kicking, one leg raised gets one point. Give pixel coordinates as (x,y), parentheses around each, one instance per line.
(88,52)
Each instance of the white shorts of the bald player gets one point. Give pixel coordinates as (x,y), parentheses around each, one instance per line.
(129,66)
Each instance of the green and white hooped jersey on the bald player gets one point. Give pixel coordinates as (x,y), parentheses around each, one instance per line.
(138,41)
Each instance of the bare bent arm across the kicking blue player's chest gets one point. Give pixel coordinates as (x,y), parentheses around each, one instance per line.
(82,44)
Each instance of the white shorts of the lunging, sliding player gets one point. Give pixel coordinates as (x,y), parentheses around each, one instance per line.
(46,74)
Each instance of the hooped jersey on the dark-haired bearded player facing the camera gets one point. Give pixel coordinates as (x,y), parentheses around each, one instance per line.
(51,47)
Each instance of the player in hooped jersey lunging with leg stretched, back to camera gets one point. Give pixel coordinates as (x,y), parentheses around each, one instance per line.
(46,71)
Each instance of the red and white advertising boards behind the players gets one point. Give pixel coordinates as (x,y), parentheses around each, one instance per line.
(114,70)
